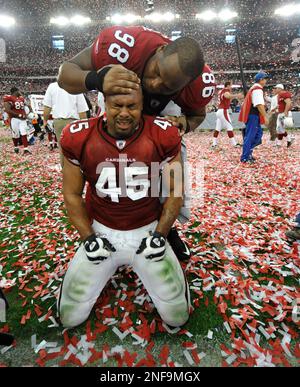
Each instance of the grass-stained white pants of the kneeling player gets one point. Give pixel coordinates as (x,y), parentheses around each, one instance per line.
(164,280)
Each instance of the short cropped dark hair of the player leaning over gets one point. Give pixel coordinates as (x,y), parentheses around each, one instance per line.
(190,55)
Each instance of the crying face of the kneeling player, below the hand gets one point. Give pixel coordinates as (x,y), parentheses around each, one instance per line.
(123,113)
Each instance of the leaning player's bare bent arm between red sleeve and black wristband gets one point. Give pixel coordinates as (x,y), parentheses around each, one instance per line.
(72,78)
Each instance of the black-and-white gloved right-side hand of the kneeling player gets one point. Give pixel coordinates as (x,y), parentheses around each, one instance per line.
(153,247)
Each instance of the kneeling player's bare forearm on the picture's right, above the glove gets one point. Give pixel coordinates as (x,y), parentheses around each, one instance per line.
(169,214)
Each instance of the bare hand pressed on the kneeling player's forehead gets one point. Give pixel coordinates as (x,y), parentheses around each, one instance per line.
(119,80)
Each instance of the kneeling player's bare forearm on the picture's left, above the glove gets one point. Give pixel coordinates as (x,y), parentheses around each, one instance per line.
(78,215)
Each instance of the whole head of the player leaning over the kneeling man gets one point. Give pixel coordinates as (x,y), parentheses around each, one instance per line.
(173,66)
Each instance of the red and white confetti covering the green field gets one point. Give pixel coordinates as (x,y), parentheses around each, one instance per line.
(242,269)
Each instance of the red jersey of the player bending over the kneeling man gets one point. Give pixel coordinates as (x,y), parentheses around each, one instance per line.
(132,47)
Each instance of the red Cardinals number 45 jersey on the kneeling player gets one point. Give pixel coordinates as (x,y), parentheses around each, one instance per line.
(120,172)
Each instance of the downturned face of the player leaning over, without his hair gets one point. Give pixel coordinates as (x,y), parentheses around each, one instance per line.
(163,75)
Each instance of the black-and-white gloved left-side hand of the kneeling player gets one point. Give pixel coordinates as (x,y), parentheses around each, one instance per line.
(97,248)
